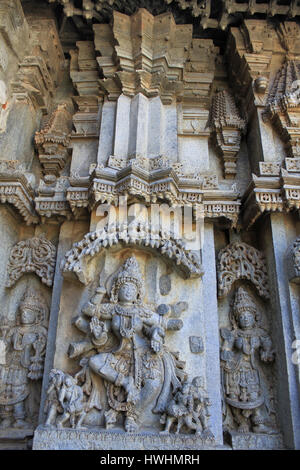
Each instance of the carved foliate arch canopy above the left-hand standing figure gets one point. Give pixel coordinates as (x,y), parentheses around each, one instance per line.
(37,255)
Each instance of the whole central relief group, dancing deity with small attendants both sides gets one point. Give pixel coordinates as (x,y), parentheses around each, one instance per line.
(126,371)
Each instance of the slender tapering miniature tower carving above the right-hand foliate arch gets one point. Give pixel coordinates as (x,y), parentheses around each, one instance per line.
(228,127)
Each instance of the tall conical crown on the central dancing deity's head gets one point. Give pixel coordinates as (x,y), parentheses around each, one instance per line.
(129,272)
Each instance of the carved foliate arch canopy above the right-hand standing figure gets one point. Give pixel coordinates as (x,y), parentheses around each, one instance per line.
(241,261)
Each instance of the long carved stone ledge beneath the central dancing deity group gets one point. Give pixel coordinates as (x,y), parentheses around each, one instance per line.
(93,439)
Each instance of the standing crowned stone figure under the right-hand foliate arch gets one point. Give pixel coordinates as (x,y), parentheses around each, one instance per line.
(244,346)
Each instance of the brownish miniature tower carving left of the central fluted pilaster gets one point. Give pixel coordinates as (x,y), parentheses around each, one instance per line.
(53,140)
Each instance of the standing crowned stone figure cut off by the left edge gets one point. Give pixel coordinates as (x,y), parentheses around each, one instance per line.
(25,347)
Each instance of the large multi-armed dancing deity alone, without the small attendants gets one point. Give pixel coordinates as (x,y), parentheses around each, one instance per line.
(130,356)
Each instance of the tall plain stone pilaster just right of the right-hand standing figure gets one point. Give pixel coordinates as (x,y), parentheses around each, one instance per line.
(277,237)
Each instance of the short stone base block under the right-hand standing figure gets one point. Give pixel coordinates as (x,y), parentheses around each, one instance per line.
(254,441)
